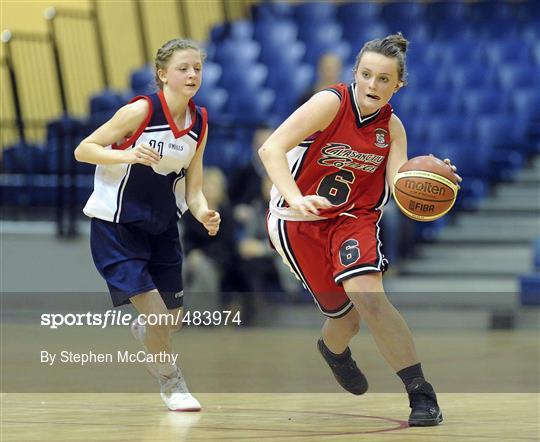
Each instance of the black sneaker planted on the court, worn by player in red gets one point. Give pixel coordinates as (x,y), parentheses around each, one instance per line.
(425,411)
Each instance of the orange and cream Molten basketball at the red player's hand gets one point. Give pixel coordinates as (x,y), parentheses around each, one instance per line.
(425,188)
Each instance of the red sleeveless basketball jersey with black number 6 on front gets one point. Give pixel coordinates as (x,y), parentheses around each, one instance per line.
(345,163)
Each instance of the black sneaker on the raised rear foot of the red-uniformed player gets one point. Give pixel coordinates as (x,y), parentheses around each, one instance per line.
(345,370)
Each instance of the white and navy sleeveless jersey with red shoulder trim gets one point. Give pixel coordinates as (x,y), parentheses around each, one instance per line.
(152,197)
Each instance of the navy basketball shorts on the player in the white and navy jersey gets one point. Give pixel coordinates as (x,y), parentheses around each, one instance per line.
(133,261)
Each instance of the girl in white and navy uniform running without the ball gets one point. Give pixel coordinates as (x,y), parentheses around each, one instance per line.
(149,171)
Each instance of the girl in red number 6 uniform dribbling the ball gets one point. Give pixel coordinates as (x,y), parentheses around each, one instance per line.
(332,163)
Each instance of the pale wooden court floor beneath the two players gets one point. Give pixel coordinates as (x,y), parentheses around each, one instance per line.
(487,384)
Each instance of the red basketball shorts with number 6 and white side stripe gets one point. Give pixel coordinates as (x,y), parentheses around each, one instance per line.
(323,254)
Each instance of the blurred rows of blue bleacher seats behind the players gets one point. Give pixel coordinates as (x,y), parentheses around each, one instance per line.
(472,93)
